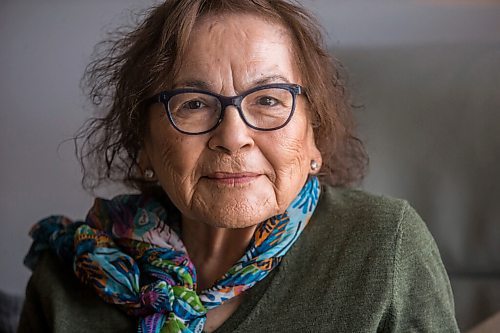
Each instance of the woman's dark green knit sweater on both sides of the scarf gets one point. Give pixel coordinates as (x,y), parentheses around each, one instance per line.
(364,263)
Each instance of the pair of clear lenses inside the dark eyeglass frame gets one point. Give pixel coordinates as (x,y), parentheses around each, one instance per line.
(263,109)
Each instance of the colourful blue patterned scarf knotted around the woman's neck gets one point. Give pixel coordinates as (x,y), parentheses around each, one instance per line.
(128,251)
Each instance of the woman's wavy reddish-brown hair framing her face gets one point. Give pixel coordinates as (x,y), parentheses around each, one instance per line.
(132,65)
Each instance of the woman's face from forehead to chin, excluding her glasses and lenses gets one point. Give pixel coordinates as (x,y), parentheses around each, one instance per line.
(233,176)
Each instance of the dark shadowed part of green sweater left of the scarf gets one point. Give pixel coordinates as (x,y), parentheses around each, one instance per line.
(56,300)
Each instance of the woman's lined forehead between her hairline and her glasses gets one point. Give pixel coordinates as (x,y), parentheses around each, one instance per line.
(244,47)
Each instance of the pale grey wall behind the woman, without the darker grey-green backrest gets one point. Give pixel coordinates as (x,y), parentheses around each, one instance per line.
(45,45)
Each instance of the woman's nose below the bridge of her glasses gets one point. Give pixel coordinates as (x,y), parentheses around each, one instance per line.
(232,135)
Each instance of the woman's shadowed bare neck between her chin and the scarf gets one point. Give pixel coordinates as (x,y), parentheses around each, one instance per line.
(213,250)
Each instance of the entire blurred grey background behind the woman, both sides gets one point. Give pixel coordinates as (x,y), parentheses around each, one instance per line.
(426,75)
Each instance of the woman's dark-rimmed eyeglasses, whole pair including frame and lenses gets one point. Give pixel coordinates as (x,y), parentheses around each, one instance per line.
(264,108)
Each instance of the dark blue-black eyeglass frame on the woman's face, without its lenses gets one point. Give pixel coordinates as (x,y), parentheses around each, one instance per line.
(225,101)
